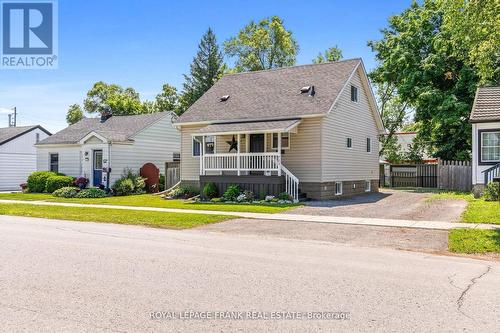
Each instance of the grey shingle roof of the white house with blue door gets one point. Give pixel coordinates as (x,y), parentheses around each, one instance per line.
(115,129)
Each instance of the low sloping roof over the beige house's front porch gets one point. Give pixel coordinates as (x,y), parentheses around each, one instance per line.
(250,127)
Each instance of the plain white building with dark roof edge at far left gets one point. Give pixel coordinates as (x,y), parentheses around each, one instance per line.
(18,154)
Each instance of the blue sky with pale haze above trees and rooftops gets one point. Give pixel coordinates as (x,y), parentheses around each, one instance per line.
(144,44)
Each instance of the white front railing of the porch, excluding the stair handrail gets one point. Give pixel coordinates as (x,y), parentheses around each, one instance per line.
(245,162)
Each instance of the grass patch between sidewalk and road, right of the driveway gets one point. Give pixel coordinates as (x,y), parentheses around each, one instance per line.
(474,241)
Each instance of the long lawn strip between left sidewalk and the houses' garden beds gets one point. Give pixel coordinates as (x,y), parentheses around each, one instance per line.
(147,200)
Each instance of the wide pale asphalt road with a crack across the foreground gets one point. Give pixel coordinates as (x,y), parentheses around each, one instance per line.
(85,277)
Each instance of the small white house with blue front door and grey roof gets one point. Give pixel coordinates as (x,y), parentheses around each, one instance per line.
(94,146)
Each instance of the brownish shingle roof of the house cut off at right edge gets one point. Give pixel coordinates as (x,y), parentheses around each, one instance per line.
(486,105)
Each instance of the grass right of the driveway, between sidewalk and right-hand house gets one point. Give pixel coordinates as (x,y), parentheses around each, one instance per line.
(477,211)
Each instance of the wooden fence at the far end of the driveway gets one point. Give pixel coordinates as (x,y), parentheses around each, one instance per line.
(450,175)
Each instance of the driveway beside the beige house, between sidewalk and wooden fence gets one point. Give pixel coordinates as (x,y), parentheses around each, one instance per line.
(388,204)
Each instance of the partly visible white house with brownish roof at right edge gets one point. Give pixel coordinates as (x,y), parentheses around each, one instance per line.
(485,119)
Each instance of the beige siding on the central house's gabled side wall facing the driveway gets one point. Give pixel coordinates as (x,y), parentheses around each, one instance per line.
(349,120)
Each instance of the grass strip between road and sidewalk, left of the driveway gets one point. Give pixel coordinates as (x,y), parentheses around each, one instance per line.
(119,216)
